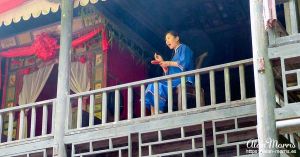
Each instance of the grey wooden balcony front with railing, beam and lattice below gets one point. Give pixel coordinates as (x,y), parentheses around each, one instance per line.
(222,126)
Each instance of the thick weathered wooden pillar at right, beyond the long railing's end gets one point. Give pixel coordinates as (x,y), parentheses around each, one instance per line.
(264,81)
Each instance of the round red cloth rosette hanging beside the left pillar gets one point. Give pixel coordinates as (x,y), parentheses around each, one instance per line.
(45,47)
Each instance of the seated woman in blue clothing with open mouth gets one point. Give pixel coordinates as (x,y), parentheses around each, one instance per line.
(182,60)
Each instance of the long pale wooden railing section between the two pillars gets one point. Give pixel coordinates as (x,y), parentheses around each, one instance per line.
(212,96)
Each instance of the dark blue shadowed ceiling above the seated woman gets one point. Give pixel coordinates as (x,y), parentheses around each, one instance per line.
(198,20)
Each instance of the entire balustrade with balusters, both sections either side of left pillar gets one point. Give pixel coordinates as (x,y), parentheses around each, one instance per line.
(205,80)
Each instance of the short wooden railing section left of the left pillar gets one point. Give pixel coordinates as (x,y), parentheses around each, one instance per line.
(19,115)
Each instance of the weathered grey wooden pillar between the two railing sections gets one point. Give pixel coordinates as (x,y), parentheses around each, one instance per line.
(63,88)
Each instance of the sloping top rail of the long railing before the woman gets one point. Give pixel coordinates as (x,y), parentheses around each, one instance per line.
(132,84)
